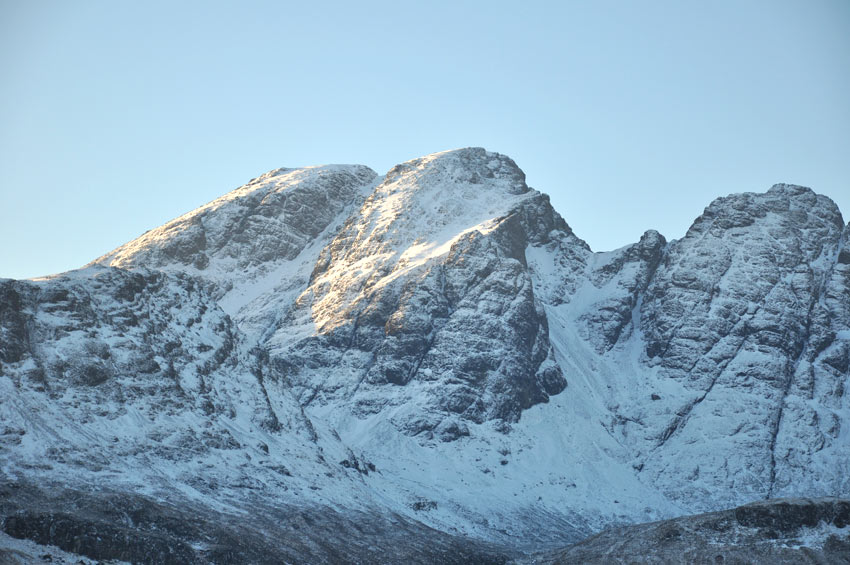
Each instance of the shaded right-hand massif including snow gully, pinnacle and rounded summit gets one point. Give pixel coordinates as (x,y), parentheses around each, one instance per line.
(717,361)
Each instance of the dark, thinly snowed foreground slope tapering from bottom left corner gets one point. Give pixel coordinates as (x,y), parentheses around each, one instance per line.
(107,525)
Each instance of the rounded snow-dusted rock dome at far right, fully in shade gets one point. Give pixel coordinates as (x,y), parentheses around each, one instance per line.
(737,315)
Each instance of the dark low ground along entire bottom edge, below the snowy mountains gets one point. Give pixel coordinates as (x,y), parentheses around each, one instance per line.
(55,525)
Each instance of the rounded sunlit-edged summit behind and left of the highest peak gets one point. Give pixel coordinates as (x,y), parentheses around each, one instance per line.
(271,218)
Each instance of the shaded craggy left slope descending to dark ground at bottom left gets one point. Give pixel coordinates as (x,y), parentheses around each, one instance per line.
(137,423)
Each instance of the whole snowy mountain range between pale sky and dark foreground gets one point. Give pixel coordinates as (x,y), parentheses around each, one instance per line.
(437,345)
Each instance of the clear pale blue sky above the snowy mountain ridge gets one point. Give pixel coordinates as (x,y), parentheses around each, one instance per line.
(118,116)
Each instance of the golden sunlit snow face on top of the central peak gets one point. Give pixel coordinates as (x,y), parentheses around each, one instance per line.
(422,208)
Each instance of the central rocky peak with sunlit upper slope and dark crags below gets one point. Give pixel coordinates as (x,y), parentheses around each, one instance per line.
(421,306)
